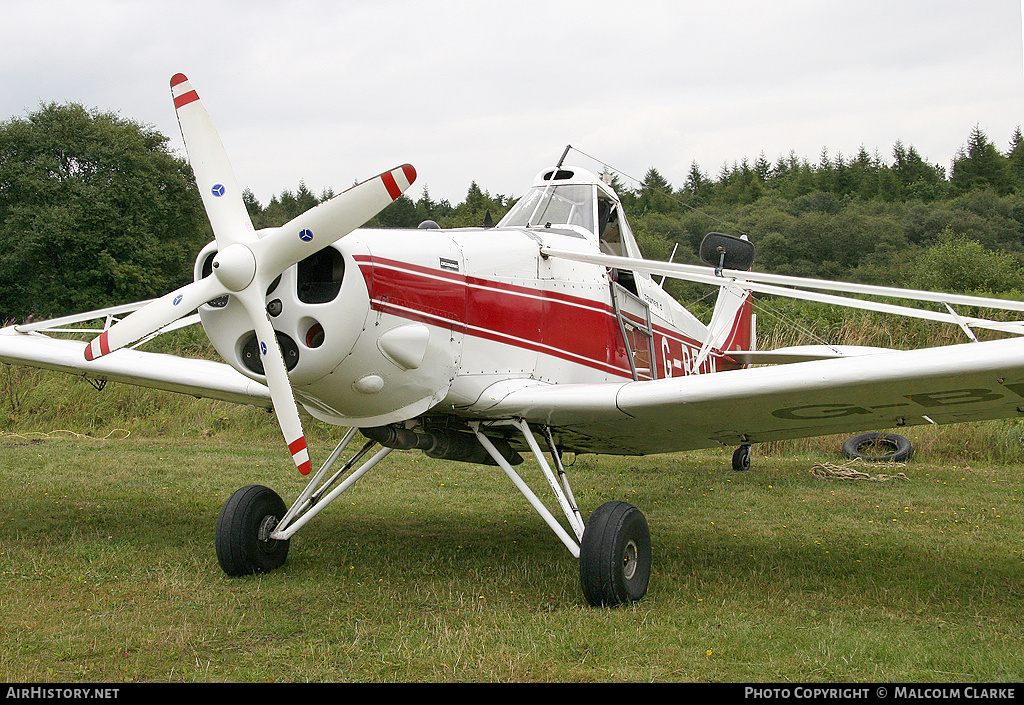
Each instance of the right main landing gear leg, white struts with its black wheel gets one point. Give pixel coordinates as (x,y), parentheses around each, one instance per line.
(614,547)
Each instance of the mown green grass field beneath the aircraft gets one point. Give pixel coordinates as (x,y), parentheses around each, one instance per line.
(431,571)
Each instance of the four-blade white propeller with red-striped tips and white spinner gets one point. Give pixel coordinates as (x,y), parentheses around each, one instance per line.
(247,263)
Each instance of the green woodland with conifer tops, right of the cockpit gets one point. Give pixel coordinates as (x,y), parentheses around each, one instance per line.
(899,222)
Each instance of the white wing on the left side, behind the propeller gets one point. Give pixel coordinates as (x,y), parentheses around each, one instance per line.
(197,378)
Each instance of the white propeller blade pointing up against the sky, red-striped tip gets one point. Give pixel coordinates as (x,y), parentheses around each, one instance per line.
(215,177)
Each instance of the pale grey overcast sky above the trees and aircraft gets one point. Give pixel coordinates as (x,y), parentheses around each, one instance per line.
(331,93)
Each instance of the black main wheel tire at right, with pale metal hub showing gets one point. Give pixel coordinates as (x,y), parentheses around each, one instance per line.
(615,556)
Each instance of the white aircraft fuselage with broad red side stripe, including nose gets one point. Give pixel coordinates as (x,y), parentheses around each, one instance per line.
(387,325)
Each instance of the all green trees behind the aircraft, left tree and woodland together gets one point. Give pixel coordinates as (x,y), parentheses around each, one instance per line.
(96,210)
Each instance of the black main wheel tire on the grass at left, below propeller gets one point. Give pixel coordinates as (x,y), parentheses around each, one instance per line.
(250,514)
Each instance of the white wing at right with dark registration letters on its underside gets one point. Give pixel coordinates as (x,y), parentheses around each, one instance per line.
(968,383)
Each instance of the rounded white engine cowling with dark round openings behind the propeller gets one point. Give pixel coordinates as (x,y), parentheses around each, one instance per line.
(352,359)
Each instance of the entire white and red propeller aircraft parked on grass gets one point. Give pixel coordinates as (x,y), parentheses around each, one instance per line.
(545,335)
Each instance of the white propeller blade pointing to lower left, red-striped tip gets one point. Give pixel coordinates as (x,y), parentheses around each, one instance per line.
(155,316)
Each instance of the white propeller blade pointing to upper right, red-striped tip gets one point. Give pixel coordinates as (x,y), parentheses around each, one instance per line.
(331,221)
